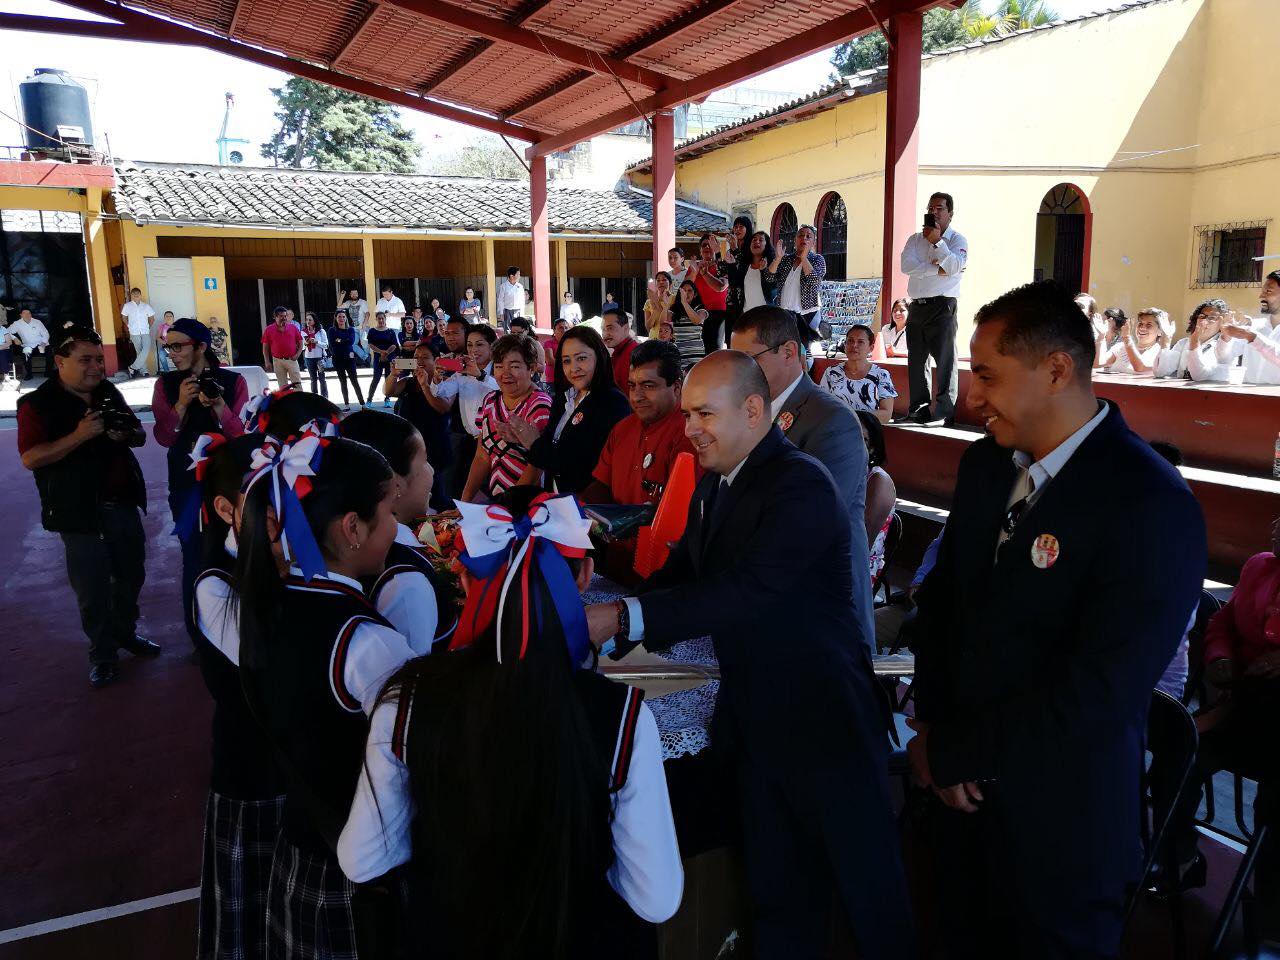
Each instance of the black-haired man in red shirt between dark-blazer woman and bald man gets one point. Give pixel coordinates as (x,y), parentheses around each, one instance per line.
(642,450)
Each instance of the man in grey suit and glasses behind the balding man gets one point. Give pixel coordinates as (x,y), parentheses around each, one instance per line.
(819,426)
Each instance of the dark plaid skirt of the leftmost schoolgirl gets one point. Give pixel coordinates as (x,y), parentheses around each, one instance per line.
(240,842)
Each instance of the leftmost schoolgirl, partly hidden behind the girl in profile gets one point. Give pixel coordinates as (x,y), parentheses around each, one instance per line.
(246,794)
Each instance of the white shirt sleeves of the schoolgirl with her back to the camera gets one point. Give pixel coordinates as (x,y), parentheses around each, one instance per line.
(647,871)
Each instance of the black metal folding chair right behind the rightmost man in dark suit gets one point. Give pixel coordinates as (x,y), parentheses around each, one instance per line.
(1171,733)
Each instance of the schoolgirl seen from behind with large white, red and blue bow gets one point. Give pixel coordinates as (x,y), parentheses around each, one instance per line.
(524,792)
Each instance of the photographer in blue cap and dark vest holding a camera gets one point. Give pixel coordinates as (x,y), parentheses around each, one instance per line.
(196,397)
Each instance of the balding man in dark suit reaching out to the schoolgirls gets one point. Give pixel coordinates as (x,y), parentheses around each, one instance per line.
(764,569)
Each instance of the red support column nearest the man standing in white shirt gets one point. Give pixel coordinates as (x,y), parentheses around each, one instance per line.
(902,153)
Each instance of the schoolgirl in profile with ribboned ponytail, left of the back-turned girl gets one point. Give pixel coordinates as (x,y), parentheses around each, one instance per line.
(314,656)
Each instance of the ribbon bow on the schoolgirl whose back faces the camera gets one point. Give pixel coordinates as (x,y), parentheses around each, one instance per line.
(552,531)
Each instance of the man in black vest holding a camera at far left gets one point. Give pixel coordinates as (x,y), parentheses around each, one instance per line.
(75,433)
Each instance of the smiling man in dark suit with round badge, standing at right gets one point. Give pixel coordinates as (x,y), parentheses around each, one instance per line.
(1041,634)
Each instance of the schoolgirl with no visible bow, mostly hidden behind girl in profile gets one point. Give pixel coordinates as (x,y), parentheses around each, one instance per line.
(406,592)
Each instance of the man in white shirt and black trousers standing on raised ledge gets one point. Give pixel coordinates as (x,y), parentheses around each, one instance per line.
(934,262)
